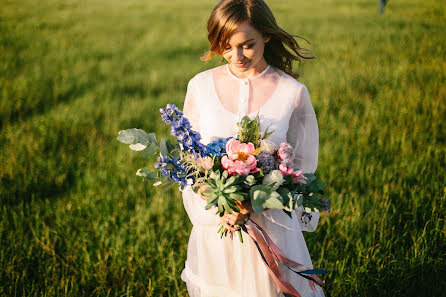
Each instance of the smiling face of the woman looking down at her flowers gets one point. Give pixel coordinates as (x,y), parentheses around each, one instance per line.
(244,50)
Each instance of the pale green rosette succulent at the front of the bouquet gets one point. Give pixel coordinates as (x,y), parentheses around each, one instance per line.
(224,191)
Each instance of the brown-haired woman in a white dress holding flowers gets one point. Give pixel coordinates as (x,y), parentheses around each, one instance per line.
(257,79)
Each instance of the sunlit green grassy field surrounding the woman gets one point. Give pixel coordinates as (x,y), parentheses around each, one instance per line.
(76,221)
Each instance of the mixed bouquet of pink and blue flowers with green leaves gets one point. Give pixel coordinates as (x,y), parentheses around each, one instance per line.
(234,170)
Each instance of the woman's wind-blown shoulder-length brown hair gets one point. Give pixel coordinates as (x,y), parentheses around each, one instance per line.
(281,50)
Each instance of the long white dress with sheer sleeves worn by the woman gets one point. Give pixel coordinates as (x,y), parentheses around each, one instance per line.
(227,268)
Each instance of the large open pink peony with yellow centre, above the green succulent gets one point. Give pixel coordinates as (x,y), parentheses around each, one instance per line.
(239,158)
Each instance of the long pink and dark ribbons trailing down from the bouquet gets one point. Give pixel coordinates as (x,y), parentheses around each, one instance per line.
(271,255)
